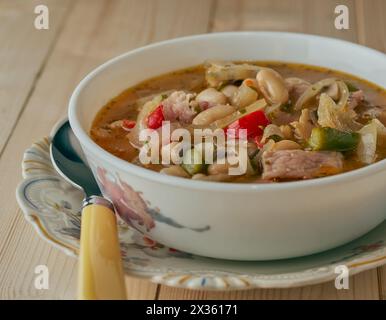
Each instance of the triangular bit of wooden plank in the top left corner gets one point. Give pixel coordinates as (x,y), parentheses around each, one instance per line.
(23,56)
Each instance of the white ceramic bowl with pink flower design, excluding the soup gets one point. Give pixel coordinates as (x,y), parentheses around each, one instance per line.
(226,220)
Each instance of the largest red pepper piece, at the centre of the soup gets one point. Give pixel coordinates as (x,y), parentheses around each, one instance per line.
(254,123)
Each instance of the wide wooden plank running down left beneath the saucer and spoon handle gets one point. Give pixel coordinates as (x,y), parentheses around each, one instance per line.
(94,31)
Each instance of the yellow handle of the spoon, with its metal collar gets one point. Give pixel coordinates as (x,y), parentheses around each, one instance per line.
(100,265)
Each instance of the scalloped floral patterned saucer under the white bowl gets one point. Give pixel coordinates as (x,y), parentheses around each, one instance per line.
(53,208)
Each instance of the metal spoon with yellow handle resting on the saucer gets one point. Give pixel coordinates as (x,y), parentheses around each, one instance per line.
(100,265)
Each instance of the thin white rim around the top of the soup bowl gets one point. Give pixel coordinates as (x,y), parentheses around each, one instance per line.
(153,176)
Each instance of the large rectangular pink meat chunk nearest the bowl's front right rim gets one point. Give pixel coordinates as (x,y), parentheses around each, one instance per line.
(300,164)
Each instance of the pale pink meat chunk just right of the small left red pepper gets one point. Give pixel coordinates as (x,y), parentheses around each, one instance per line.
(178,106)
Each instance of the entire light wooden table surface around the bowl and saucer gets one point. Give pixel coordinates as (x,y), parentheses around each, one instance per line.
(40,68)
